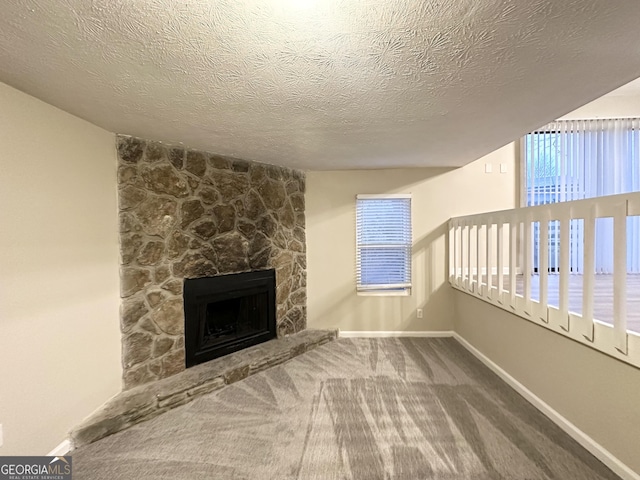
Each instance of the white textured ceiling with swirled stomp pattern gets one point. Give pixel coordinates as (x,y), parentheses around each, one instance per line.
(322,84)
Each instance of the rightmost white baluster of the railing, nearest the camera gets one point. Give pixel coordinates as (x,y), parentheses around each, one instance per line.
(620,277)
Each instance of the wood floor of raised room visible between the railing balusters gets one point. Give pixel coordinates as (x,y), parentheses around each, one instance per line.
(602,300)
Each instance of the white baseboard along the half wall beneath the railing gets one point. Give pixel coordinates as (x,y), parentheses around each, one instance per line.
(574,432)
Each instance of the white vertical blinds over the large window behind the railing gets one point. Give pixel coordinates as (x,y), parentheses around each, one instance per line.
(575,159)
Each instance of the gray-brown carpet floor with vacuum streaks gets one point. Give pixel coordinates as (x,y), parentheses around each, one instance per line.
(351,409)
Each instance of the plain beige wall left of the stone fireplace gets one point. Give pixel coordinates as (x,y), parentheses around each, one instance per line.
(59,332)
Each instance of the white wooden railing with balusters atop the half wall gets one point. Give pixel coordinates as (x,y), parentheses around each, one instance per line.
(492,257)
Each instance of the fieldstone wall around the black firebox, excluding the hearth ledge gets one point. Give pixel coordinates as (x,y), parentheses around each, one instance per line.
(189,214)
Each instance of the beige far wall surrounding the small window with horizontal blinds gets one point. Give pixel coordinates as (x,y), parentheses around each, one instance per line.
(438,194)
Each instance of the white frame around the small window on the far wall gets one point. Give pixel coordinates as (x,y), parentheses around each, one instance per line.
(401,291)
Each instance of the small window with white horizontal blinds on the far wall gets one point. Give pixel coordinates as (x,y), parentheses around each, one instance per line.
(383,244)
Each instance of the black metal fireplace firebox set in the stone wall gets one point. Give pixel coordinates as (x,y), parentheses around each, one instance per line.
(227,313)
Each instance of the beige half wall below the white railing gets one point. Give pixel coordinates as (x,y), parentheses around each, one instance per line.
(595,392)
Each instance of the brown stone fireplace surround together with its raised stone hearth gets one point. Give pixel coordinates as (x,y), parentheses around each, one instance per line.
(189,214)
